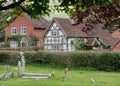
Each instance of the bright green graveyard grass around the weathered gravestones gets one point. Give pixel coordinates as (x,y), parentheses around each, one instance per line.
(75,77)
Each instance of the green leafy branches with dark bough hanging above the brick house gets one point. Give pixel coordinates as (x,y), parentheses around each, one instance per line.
(32,7)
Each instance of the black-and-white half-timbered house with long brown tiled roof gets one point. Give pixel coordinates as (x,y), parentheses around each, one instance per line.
(62,33)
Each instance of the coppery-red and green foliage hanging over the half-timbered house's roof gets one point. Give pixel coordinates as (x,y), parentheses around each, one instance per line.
(93,11)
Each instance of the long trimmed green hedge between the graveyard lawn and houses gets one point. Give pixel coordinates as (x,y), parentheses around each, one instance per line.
(107,61)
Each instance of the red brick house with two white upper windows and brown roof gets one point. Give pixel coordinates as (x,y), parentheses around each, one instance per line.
(25,25)
